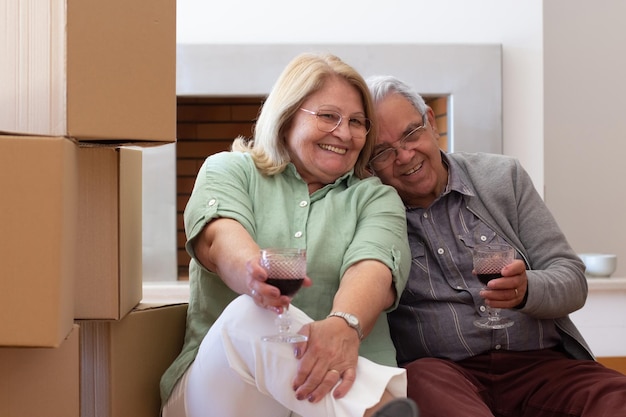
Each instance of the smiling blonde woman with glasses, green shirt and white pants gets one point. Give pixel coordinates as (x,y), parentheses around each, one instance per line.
(300,182)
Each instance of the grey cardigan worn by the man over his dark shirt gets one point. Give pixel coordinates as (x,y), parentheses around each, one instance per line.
(506,199)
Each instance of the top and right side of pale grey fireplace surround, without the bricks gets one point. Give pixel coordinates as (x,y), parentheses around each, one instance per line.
(470,75)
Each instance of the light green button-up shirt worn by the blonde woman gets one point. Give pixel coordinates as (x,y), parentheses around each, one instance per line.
(341,224)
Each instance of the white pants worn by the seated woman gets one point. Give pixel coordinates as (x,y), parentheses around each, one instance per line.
(236,374)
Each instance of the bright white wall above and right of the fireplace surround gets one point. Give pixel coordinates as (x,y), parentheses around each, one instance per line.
(517,25)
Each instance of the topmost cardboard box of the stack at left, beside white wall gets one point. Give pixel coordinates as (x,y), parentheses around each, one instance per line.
(89,69)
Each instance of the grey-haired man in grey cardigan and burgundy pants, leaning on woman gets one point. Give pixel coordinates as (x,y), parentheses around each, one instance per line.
(538,367)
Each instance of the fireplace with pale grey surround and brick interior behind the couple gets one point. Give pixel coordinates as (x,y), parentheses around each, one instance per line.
(220,89)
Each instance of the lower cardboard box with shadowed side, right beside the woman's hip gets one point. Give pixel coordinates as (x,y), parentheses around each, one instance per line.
(123,361)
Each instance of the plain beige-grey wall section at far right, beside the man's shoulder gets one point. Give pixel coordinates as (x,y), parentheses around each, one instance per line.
(585,126)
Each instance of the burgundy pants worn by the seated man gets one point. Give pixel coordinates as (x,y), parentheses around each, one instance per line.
(543,383)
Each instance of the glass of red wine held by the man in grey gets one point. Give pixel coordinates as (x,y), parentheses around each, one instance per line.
(489,259)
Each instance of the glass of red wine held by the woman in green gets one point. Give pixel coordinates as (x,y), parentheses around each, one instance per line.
(286,269)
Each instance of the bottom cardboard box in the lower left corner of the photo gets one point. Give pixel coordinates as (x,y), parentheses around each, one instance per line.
(41,381)
